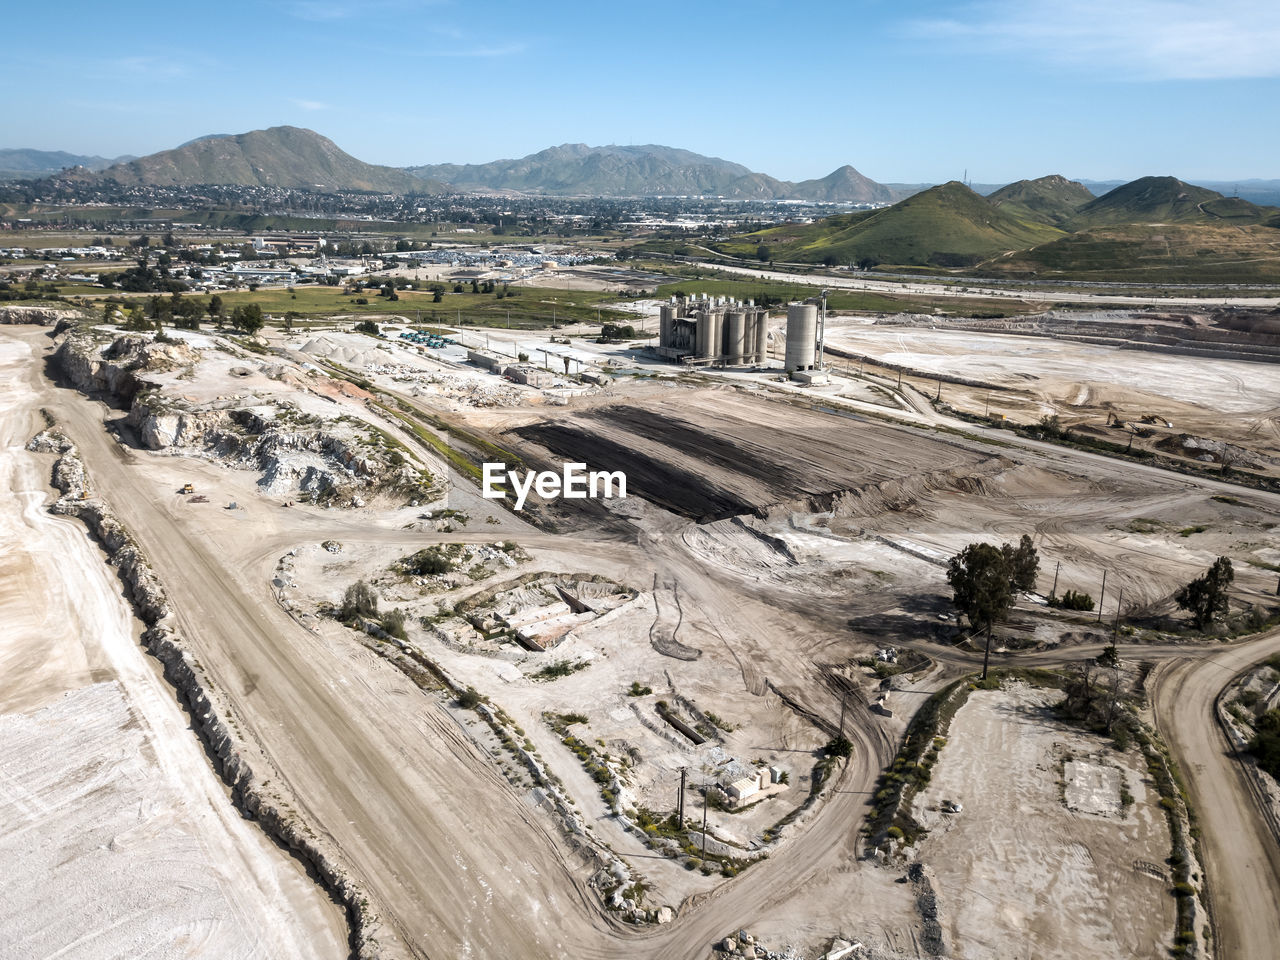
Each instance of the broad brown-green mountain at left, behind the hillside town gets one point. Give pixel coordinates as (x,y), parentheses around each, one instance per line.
(281,157)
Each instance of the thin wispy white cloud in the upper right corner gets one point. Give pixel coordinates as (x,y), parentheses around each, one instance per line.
(1145,40)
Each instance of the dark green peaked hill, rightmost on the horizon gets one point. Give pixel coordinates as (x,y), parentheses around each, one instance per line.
(1167,200)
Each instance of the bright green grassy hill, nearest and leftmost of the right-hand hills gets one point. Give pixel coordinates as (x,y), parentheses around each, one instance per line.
(947,226)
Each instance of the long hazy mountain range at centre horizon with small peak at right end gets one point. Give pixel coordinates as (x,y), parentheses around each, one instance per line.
(578,170)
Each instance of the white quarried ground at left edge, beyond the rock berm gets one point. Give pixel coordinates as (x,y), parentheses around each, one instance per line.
(116,836)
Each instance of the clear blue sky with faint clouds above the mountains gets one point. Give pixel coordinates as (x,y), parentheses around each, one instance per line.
(907,93)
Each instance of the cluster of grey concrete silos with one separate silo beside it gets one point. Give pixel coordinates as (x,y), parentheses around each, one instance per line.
(705,331)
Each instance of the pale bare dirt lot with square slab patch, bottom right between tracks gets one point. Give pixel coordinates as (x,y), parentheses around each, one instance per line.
(1018,874)
